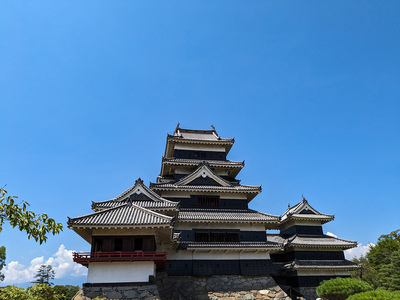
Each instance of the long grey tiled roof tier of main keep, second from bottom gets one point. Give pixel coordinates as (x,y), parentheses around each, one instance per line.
(225,215)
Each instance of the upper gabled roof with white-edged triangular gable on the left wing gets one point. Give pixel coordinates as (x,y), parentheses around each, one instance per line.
(138,194)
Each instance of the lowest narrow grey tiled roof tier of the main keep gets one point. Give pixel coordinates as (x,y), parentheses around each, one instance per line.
(226,246)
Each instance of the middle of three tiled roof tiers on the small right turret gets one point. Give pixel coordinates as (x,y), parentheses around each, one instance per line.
(313,241)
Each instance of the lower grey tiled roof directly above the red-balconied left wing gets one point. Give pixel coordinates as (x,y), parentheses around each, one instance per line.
(123,215)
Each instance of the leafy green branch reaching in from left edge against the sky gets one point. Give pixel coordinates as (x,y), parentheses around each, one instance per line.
(36,226)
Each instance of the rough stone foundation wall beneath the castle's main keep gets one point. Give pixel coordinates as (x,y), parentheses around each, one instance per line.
(217,287)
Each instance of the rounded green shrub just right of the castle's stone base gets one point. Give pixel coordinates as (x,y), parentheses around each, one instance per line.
(340,288)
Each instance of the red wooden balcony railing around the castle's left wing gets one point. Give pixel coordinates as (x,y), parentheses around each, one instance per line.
(158,257)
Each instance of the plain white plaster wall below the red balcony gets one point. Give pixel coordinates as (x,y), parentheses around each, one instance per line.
(113,272)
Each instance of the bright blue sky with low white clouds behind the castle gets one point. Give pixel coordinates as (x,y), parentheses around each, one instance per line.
(89,90)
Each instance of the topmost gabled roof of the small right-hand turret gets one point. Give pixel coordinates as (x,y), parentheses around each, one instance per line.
(304,211)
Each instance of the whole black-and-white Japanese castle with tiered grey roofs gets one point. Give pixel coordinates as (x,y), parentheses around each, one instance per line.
(195,220)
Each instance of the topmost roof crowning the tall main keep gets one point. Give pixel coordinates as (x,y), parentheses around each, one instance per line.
(192,136)
